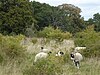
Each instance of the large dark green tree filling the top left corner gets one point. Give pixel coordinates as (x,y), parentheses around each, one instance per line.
(15,15)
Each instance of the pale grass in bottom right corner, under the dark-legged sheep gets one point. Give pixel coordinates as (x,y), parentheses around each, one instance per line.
(88,67)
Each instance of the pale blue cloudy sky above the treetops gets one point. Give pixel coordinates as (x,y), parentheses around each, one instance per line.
(88,7)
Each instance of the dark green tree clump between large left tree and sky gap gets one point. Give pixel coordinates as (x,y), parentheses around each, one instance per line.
(65,17)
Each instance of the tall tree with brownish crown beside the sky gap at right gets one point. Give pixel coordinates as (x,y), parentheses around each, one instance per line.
(74,21)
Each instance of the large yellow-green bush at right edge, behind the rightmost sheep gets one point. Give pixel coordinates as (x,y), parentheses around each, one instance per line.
(90,39)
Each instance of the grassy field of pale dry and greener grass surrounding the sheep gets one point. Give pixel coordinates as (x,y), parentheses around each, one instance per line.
(51,66)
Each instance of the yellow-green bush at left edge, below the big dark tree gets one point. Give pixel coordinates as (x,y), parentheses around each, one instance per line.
(10,47)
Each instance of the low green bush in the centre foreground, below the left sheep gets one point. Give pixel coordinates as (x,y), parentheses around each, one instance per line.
(49,66)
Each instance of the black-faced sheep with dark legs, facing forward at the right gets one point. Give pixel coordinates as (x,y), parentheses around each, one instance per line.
(76,57)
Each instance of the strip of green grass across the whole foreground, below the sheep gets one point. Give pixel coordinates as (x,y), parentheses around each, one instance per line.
(55,66)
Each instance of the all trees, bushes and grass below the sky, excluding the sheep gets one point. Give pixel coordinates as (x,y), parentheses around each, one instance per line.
(26,26)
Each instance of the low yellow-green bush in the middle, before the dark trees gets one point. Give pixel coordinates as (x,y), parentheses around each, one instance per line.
(50,32)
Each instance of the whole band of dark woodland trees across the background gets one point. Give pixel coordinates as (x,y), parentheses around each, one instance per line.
(23,16)
